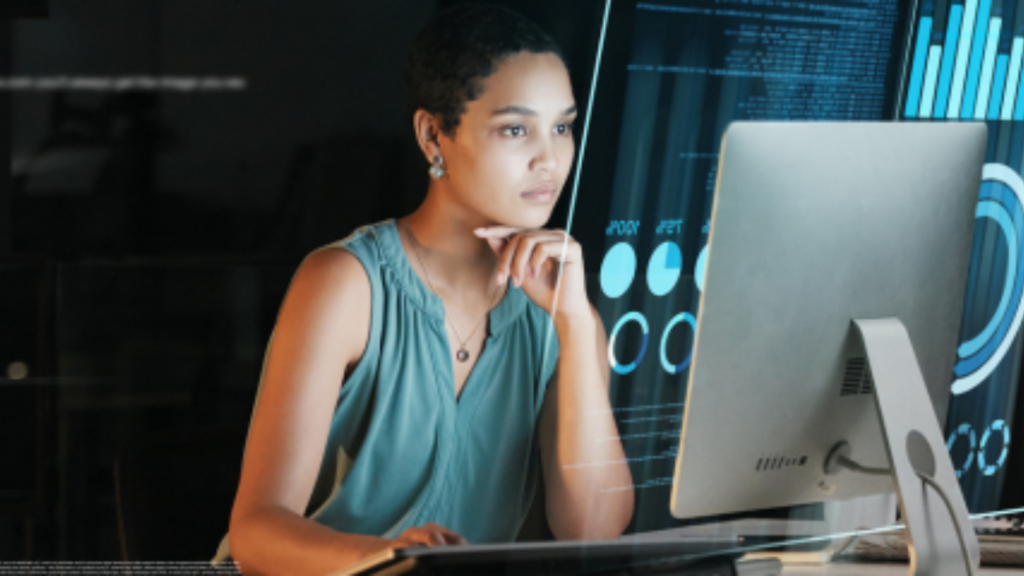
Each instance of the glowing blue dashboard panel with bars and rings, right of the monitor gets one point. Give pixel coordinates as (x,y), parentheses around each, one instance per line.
(966,67)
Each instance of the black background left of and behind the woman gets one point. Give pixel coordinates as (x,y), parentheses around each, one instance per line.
(147,239)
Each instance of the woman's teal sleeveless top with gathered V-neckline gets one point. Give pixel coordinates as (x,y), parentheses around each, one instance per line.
(403,451)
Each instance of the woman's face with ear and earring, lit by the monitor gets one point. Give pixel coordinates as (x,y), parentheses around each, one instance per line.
(514,149)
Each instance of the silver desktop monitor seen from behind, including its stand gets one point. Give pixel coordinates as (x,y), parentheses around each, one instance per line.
(817,228)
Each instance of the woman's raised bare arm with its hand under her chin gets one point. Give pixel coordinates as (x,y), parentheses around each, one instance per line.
(588,482)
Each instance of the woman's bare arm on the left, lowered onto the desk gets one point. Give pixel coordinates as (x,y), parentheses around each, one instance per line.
(322,333)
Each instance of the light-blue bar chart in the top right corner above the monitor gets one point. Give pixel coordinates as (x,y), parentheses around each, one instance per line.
(967,62)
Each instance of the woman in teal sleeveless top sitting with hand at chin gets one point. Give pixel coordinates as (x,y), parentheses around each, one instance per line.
(424,374)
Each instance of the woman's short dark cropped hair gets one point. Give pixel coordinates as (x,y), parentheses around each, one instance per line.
(459,48)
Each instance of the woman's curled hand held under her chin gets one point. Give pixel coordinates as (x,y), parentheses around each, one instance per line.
(530,258)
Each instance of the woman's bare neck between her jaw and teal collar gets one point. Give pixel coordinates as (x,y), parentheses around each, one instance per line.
(458,262)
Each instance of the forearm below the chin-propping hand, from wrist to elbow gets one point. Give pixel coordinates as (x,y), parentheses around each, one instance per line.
(588,482)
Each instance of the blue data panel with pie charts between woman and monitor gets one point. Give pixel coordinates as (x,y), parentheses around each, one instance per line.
(675,75)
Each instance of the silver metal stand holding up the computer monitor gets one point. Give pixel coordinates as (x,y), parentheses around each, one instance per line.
(914,442)
